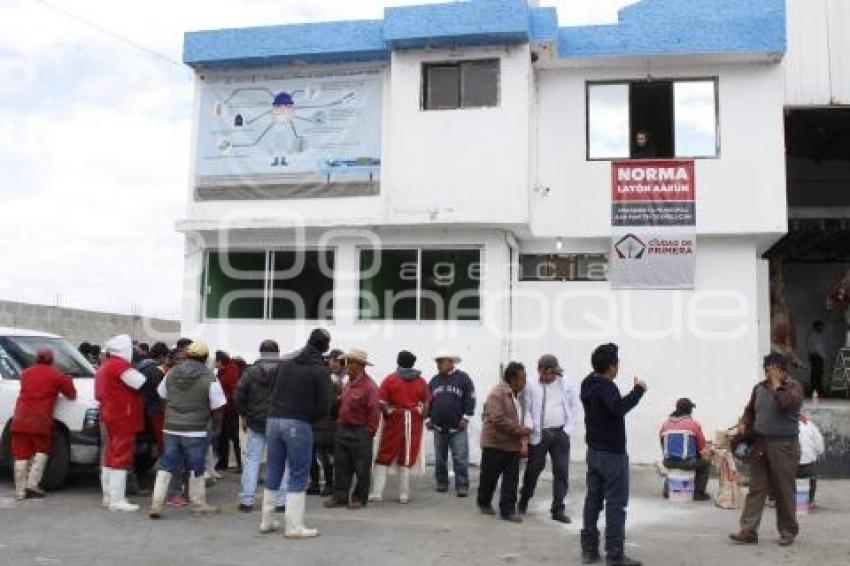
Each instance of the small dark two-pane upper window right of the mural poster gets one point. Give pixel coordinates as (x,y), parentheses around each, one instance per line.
(460,84)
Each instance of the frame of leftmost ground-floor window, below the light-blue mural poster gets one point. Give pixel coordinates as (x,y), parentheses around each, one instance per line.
(267,284)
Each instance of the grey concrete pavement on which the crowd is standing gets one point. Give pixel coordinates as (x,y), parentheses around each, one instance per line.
(69,528)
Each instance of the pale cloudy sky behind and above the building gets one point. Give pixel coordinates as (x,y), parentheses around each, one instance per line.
(94,139)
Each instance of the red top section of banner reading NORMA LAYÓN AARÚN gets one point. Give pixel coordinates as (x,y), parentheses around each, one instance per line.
(653,181)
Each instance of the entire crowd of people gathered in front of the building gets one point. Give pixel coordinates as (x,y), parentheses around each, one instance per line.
(316,413)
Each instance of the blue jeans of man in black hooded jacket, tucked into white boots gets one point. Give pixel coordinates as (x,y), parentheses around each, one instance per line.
(290,445)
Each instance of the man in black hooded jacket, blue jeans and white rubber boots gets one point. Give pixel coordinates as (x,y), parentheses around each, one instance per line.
(300,397)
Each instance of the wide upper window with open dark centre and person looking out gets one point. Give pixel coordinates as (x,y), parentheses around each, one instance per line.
(652,119)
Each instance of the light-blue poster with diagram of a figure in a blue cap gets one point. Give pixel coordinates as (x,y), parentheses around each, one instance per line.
(290,126)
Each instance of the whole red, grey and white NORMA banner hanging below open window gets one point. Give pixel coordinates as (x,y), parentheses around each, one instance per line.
(653,215)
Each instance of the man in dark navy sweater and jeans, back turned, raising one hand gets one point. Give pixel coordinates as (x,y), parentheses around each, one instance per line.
(607,461)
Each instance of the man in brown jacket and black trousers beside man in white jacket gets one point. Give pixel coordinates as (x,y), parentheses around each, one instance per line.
(502,439)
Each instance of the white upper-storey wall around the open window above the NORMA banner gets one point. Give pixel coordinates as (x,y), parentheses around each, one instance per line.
(742,191)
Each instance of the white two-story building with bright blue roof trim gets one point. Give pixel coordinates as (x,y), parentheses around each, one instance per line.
(449,176)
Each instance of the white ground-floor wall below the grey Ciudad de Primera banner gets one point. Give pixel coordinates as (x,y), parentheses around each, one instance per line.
(701,344)
